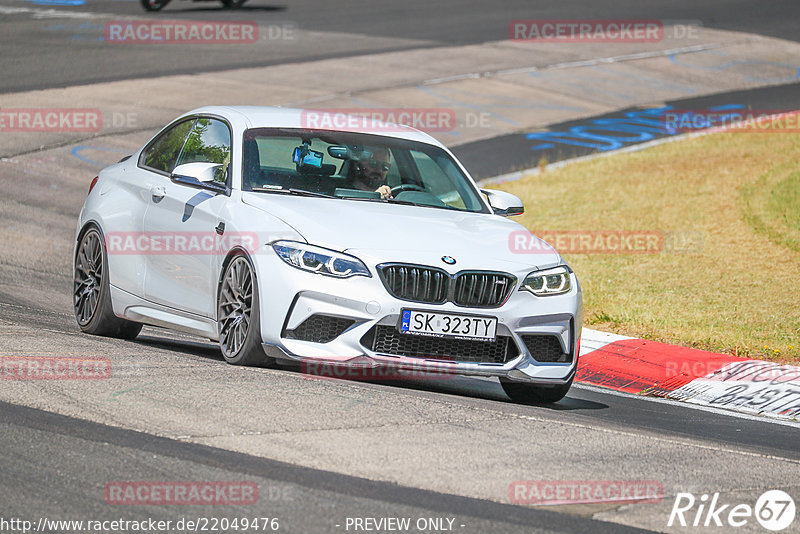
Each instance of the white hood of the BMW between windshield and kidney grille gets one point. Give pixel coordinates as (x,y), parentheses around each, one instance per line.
(380,232)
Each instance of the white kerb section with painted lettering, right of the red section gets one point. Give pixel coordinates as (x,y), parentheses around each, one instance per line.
(750,386)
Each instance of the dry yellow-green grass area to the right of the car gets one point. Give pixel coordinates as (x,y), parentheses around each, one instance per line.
(728,278)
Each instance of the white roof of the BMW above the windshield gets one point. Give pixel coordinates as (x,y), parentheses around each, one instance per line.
(277,117)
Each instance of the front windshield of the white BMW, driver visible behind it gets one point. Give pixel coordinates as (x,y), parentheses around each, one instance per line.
(355,166)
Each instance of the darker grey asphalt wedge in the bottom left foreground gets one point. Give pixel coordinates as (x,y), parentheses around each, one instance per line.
(303,499)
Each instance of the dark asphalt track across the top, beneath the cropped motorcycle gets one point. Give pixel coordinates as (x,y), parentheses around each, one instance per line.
(34,55)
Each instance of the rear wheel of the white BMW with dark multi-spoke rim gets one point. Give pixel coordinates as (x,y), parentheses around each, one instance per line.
(91,296)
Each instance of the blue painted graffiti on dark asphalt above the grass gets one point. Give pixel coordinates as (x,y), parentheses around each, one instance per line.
(641,126)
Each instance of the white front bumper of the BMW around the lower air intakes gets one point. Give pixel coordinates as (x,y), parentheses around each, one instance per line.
(295,295)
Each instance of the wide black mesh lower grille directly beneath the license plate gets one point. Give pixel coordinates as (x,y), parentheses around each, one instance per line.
(387,340)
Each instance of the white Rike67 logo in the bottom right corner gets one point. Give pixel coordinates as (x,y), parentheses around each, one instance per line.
(774,510)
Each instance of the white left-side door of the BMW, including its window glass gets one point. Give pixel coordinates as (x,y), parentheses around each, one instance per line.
(183,223)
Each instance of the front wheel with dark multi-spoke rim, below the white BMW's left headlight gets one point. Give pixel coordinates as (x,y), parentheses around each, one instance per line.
(240,344)
